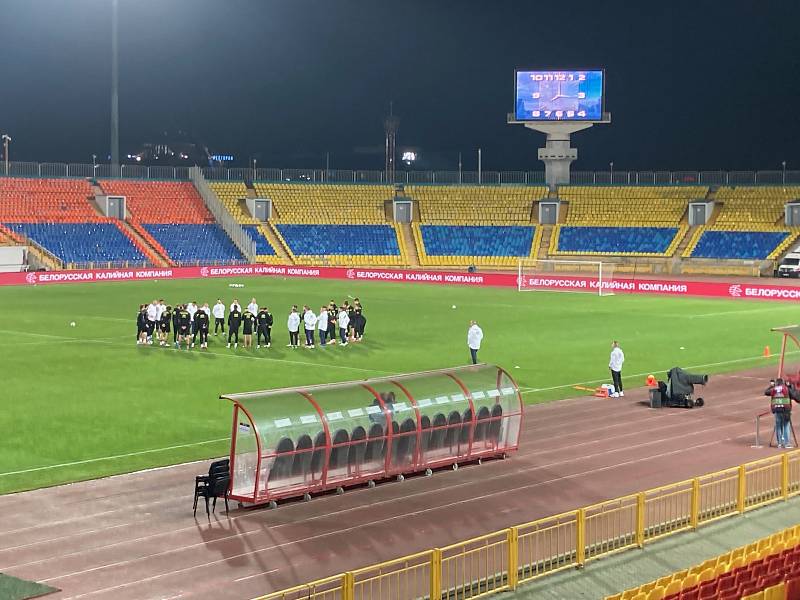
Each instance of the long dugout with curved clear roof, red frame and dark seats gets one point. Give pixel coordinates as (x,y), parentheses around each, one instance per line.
(296,441)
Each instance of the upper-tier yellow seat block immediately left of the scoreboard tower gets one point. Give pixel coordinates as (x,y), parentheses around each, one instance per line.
(475,205)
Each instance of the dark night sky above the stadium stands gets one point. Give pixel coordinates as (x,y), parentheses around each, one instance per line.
(690,85)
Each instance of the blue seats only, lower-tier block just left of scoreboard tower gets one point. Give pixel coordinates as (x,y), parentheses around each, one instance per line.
(485,240)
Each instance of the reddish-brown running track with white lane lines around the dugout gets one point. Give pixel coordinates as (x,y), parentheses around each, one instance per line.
(134,537)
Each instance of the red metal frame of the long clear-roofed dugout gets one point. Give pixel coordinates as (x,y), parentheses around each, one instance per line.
(459,452)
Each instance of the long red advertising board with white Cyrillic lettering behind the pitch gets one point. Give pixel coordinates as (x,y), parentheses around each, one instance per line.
(716,289)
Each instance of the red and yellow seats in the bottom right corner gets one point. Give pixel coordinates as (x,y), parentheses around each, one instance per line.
(766,569)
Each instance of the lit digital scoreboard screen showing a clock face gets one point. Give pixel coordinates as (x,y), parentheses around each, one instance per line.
(559,95)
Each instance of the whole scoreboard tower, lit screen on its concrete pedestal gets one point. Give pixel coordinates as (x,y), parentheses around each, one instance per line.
(564,102)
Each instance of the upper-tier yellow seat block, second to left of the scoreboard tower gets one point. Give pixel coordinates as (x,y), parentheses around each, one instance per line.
(326,203)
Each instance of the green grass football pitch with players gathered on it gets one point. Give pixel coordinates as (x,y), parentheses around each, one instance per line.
(87,401)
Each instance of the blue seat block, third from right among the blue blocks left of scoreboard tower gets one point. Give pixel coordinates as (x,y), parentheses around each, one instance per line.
(366,240)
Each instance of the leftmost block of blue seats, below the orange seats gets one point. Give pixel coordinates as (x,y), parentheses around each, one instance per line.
(81,242)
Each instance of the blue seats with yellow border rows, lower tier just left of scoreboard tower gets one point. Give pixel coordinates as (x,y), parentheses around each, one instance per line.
(473,244)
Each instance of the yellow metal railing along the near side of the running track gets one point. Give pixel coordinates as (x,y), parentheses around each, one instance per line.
(487,564)
